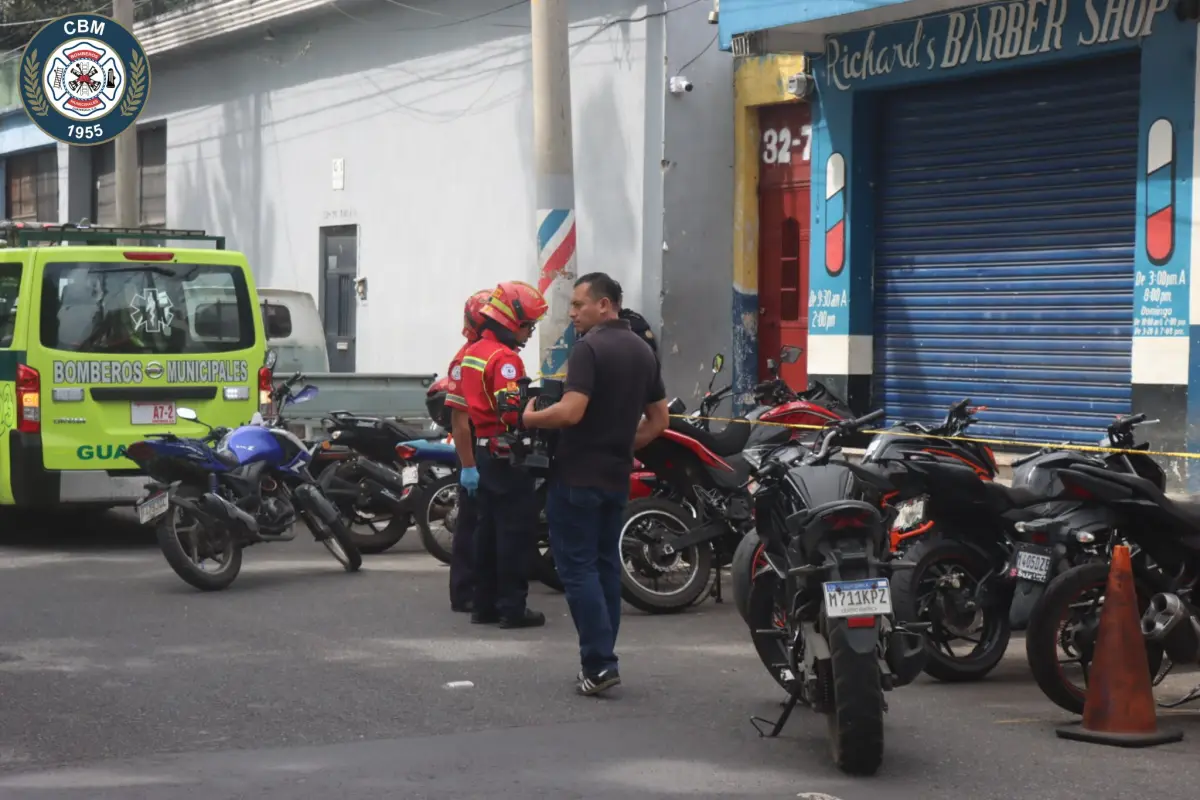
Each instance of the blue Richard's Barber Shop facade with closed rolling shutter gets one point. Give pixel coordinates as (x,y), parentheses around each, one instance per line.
(1001,209)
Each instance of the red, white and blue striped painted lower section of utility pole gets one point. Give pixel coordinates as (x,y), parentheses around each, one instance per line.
(556,276)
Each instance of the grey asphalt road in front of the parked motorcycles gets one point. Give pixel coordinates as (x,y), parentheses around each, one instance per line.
(118,681)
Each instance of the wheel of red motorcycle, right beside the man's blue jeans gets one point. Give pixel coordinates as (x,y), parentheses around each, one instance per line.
(700,557)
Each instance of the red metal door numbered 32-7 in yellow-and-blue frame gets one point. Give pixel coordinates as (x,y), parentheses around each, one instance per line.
(784,226)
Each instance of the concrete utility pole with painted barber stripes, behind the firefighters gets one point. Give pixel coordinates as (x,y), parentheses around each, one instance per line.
(556,178)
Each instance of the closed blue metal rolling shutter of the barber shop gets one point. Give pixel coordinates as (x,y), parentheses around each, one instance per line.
(1005,250)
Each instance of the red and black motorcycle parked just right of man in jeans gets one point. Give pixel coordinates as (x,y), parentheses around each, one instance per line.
(671,540)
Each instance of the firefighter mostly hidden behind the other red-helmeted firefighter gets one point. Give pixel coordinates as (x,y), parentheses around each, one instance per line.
(463,574)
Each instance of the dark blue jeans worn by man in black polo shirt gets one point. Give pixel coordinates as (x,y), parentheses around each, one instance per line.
(585,539)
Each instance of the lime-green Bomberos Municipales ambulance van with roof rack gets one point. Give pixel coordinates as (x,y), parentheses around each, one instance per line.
(101,341)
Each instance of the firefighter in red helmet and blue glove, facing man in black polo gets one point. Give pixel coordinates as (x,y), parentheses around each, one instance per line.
(506,506)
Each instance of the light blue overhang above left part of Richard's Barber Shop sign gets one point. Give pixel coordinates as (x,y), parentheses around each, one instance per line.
(791,27)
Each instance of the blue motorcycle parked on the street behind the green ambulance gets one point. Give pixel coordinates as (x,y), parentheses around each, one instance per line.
(212,497)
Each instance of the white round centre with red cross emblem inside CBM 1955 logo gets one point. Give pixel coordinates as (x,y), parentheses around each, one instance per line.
(85,80)
